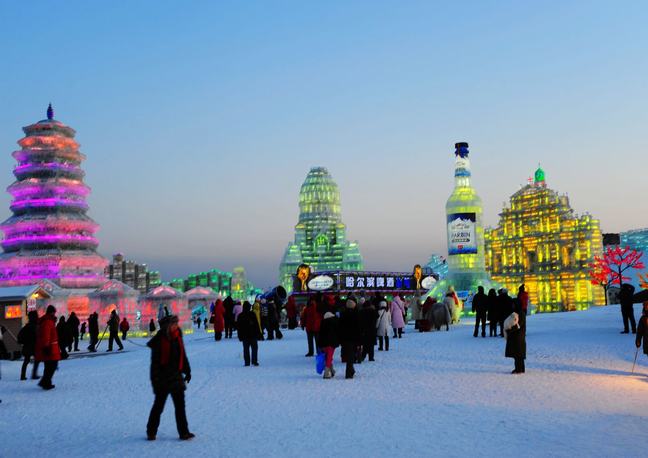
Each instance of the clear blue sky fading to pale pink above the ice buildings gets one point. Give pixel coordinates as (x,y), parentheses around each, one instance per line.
(200,120)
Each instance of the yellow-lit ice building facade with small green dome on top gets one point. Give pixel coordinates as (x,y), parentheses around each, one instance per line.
(541,242)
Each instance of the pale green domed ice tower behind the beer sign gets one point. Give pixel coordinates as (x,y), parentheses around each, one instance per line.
(320,235)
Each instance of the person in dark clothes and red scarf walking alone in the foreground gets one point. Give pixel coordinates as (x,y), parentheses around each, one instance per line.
(170,371)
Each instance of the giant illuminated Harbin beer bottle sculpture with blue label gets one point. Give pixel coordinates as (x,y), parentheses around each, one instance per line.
(465,231)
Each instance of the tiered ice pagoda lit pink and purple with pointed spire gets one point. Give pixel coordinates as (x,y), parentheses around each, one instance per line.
(49,235)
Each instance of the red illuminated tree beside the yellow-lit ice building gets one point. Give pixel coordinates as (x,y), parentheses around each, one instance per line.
(608,270)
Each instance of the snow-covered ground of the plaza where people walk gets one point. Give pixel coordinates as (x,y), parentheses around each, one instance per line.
(441,393)
